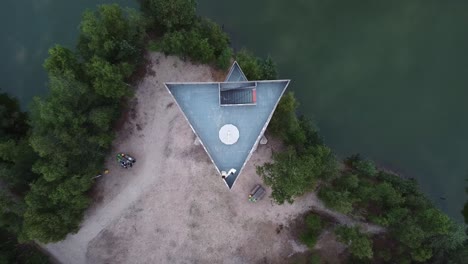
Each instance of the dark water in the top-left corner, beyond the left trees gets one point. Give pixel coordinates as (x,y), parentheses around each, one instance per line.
(28,29)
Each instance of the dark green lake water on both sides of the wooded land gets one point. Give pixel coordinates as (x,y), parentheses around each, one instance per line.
(387,79)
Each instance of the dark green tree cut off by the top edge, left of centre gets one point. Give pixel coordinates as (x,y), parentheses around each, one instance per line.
(171,14)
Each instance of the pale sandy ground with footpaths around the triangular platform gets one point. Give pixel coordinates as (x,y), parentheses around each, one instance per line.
(172,207)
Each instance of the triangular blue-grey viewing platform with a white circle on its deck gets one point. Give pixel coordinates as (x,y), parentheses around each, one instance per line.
(229,118)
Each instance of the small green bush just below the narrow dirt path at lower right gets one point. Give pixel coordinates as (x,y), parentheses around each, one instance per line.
(359,244)
